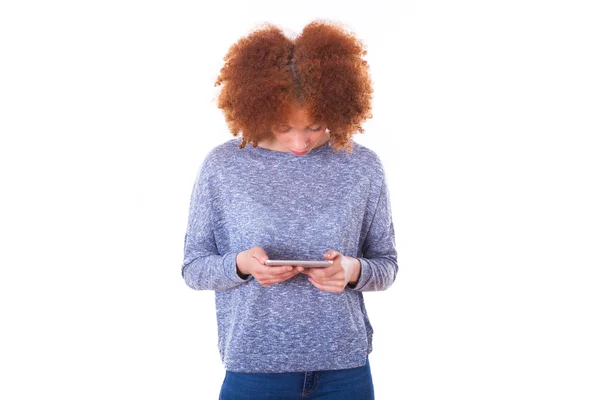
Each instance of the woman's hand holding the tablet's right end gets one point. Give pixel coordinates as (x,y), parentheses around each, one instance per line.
(334,278)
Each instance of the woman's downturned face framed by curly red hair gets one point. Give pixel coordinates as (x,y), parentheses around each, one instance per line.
(299,135)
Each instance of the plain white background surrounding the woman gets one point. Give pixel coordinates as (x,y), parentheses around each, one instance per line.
(486,117)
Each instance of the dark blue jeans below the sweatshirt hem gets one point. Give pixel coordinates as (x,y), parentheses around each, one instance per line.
(346,384)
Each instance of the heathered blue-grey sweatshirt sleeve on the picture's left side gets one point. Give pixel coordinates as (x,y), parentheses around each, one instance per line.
(203,267)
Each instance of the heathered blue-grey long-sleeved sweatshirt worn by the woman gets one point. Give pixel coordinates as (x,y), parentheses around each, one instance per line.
(295,208)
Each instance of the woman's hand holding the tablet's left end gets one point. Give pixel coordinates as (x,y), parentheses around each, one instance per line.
(251,262)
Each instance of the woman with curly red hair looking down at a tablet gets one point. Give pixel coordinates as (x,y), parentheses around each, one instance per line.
(303,190)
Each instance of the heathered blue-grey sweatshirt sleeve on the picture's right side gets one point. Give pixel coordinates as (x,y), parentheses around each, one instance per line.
(378,263)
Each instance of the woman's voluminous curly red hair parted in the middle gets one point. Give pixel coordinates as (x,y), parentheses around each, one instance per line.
(322,69)
